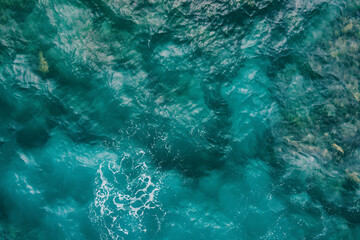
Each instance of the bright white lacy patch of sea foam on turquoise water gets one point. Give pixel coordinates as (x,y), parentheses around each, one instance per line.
(126,192)
